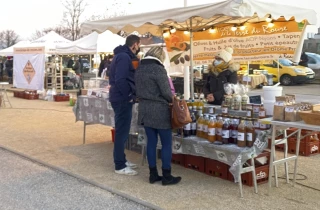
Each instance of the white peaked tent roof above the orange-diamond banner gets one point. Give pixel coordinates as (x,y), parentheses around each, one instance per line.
(49,41)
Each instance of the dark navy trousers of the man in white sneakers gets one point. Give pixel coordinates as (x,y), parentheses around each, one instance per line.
(122,117)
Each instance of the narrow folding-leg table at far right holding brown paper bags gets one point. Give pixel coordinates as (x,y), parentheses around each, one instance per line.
(279,125)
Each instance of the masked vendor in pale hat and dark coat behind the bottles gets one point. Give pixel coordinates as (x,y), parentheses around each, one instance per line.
(222,71)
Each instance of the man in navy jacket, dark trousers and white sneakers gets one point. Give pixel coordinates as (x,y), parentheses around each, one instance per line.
(122,97)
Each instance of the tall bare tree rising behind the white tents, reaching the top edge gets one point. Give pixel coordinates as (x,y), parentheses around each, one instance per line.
(73,12)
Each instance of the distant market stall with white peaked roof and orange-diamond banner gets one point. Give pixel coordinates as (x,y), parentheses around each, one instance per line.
(47,71)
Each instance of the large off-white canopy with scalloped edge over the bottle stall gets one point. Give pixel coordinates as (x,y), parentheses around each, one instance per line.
(228,11)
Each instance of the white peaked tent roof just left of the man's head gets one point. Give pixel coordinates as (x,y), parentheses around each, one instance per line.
(92,43)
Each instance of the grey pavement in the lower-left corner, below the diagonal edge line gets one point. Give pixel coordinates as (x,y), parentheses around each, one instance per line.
(28,185)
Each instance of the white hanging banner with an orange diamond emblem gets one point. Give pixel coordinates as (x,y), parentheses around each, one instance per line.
(28,68)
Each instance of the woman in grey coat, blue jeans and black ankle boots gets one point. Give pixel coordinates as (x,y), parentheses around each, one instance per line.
(154,94)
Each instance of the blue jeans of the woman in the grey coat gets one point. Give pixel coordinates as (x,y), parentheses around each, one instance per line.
(166,142)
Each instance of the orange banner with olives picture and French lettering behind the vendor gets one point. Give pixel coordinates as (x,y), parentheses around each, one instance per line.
(257,41)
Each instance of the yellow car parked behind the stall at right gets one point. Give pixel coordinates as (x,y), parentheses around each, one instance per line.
(289,73)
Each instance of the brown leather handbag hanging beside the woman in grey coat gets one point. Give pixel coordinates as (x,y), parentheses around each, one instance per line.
(180,113)
